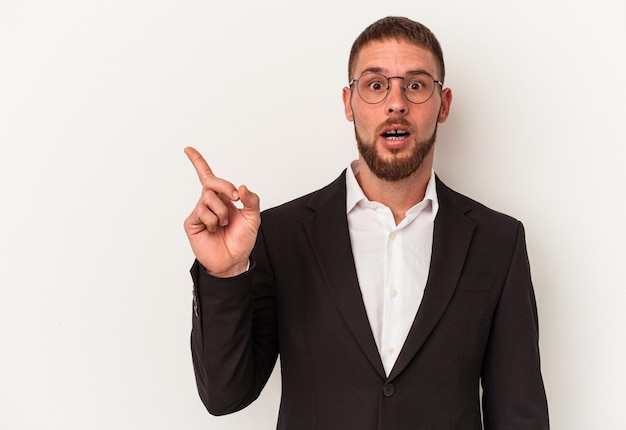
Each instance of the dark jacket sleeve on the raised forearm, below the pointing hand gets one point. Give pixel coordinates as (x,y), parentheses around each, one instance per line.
(234,339)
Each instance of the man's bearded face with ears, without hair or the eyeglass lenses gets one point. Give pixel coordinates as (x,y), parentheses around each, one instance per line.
(395,137)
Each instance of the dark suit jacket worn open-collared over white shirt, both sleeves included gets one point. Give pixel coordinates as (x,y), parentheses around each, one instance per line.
(477,323)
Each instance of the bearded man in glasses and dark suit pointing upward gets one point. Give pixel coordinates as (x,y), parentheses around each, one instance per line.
(390,298)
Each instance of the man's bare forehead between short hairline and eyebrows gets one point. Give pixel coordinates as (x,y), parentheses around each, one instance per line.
(394,57)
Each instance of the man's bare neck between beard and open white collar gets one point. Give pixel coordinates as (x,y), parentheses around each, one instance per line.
(399,196)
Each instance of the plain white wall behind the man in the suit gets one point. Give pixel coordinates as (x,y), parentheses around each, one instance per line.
(98,99)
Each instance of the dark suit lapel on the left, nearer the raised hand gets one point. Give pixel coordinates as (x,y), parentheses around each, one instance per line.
(327,229)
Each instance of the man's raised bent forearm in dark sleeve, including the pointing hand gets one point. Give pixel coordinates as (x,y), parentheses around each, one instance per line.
(234,337)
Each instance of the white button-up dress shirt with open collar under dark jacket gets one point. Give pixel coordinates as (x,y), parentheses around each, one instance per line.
(392,262)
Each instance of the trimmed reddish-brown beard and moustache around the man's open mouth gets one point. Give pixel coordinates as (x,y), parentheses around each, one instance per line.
(395,168)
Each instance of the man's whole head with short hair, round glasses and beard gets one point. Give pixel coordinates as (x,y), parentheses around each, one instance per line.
(396,97)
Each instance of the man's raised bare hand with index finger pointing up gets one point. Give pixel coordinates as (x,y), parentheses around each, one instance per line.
(221,234)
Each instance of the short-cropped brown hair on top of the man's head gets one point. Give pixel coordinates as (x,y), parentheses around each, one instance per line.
(397,28)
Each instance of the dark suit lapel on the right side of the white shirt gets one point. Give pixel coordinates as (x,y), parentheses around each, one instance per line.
(451,238)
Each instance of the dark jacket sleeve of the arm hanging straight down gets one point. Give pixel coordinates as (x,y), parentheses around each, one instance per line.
(513,391)
